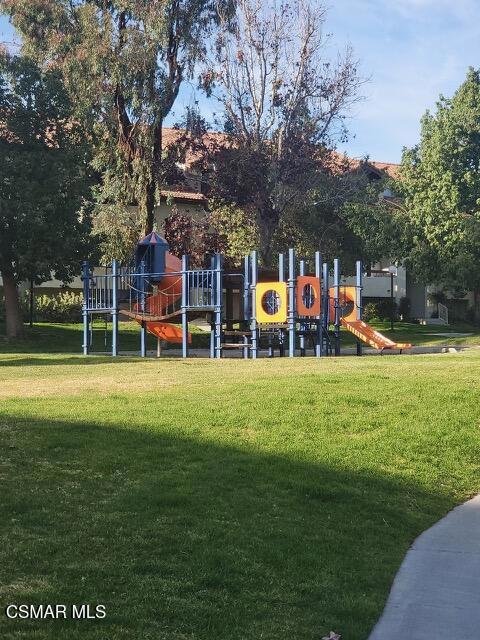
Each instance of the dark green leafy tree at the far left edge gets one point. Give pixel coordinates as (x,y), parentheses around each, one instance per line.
(42,182)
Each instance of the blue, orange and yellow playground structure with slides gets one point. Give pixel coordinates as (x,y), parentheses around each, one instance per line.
(292,312)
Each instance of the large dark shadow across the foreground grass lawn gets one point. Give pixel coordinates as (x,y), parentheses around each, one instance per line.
(180,538)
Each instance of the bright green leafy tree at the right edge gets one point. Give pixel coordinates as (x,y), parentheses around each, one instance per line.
(440,183)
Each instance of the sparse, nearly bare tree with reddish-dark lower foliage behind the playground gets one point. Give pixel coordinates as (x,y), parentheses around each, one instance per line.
(284,103)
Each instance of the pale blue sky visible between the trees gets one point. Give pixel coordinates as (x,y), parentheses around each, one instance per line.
(412,50)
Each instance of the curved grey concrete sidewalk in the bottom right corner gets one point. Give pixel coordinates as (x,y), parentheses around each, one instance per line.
(436,593)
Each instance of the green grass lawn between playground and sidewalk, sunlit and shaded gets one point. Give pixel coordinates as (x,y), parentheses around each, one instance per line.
(230,500)
